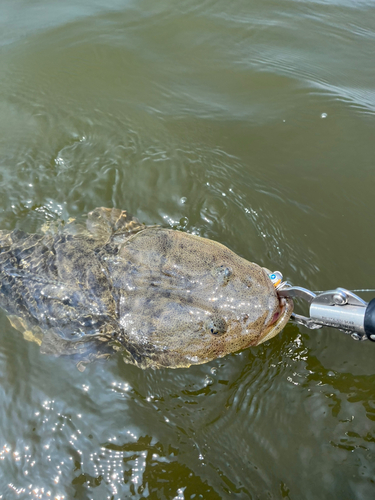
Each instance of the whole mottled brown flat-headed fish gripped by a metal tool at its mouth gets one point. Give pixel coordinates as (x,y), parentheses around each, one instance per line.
(163,297)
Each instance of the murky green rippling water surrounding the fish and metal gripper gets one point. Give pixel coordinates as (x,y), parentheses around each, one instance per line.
(248,122)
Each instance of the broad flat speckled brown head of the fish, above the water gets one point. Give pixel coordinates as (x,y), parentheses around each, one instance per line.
(188,300)
